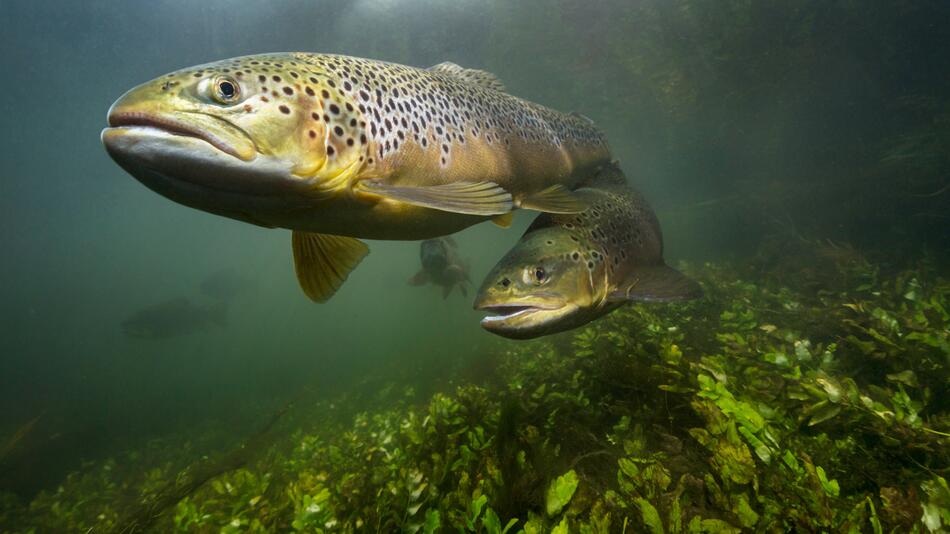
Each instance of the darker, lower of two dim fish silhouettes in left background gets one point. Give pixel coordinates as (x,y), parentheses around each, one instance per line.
(173,318)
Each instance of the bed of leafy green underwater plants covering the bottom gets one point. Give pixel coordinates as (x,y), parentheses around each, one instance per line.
(778,406)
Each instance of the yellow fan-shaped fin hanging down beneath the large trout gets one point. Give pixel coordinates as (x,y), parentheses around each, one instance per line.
(323,262)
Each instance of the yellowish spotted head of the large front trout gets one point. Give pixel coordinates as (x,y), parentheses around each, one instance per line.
(236,136)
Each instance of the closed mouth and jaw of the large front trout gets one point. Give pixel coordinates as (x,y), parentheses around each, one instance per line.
(215,131)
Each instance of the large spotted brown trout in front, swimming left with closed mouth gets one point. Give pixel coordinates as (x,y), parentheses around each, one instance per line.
(337,148)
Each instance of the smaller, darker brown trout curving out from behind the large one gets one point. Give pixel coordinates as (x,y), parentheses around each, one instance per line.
(568,270)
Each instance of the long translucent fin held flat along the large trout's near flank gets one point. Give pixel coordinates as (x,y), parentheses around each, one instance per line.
(471,198)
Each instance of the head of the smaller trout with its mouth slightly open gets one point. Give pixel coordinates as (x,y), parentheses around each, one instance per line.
(540,287)
